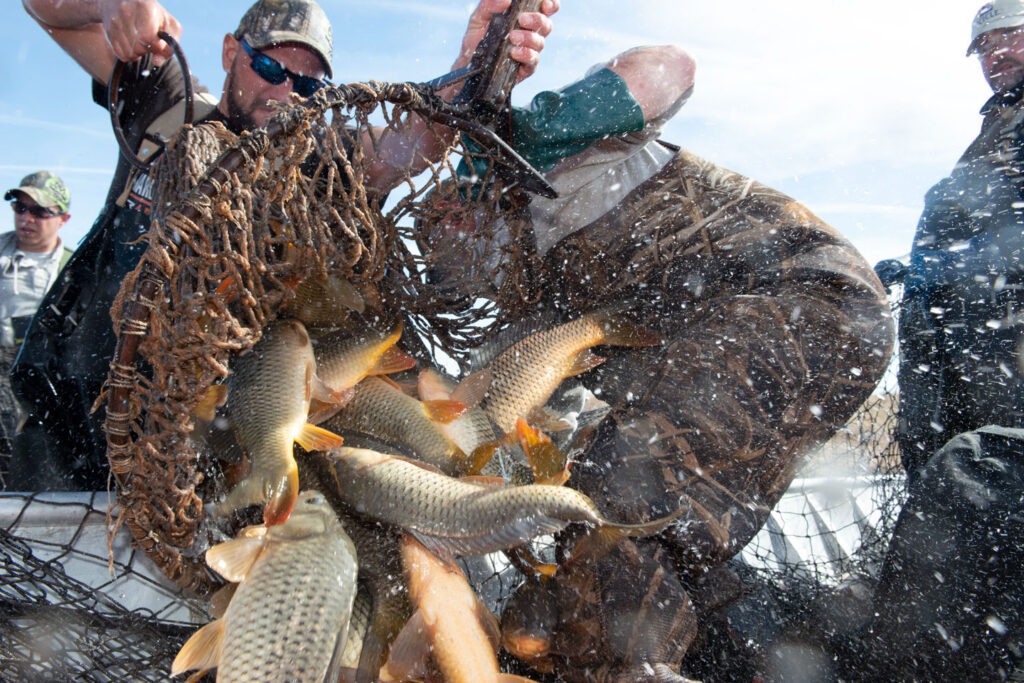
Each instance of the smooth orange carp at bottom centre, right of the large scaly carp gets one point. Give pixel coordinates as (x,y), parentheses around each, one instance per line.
(451,625)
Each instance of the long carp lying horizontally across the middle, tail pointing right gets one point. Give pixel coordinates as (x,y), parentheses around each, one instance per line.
(462,518)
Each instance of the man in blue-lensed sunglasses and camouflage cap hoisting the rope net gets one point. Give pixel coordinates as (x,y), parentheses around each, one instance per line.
(281,49)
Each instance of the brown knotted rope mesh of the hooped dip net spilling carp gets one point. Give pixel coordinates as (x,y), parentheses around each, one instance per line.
(239,225)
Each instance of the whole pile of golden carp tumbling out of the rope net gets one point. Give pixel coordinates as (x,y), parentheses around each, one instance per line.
(353,575)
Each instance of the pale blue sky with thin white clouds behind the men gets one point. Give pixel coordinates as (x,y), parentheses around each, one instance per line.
(855,108)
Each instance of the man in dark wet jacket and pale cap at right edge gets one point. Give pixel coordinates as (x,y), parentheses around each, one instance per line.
(950,604)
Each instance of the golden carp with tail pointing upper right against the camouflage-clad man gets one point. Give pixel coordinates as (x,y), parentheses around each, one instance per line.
(526,374)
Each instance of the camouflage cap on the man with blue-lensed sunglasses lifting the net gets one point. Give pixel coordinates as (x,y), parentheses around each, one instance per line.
(275,22)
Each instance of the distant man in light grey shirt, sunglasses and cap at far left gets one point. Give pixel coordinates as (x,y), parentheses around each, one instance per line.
(31,257)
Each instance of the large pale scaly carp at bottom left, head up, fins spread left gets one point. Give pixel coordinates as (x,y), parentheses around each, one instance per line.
(289,618)
